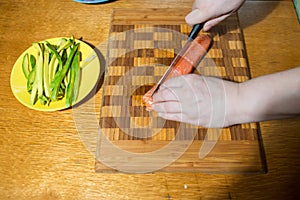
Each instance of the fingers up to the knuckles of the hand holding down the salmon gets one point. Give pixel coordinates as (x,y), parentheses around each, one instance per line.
(177,99)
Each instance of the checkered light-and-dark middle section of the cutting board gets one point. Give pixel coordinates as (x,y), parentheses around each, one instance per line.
(139,55)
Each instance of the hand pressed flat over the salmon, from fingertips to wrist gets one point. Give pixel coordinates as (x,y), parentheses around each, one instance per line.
(196,99)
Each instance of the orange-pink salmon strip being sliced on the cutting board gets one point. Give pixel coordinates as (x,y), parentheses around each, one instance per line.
(188,61)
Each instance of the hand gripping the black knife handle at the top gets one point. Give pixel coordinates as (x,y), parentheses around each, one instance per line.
(212,11)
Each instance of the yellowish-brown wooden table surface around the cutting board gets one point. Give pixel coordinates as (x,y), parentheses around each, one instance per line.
(43,156)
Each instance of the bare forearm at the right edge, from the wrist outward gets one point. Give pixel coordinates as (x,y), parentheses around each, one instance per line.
(269,97)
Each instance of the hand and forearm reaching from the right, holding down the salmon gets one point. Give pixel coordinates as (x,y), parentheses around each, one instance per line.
(214,103)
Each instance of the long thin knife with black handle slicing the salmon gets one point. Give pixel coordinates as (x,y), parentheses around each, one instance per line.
(193,34)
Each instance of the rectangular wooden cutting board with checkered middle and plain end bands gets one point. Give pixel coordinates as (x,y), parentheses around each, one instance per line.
(143,42)
